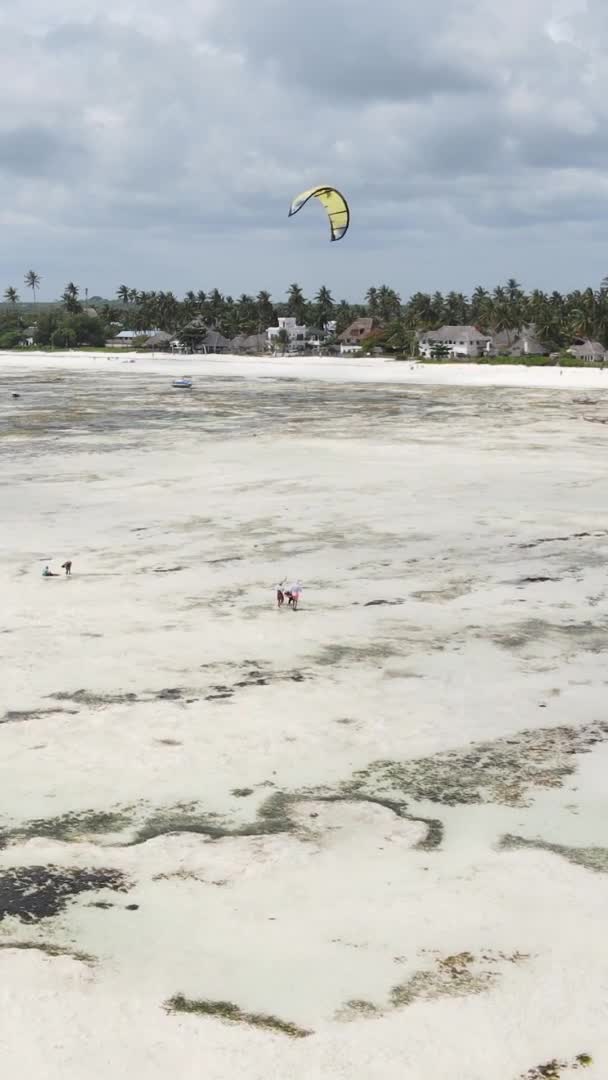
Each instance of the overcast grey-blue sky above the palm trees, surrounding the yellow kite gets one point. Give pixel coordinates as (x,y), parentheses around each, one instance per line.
(159,144)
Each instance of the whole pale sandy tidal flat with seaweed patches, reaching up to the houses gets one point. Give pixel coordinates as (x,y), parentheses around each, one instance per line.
(368,840)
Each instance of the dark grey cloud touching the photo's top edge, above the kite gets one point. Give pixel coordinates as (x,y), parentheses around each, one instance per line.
(349,51)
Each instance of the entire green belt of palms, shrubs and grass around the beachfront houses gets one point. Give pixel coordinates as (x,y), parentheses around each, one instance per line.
(560,319)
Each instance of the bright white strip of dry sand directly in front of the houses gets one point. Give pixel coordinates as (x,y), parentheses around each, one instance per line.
(364,370)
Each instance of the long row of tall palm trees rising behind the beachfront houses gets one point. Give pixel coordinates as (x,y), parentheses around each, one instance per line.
(559,318)
